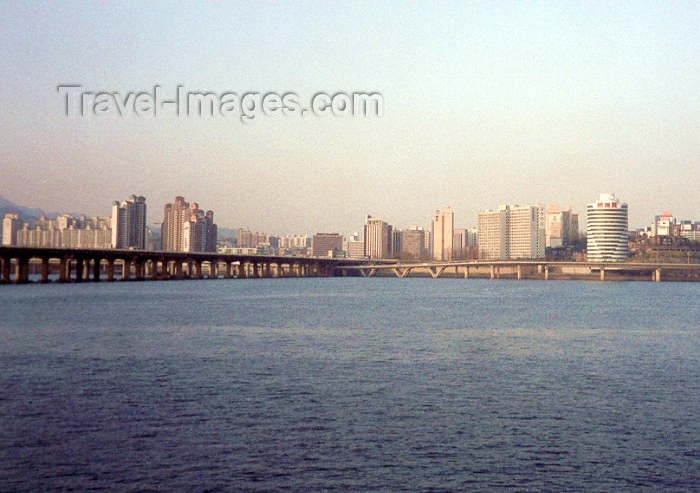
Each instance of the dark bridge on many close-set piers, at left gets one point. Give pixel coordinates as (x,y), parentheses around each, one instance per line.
(78,265)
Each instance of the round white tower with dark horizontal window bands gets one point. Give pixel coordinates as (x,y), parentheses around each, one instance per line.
(606,229)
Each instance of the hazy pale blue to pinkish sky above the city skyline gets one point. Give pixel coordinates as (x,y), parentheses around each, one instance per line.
(486,102)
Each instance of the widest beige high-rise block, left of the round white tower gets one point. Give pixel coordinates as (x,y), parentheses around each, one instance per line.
(512,232)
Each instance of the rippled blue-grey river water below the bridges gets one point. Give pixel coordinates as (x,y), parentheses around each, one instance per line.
(350,384)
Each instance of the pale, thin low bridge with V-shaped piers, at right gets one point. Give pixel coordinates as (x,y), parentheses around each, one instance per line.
(534,269)
